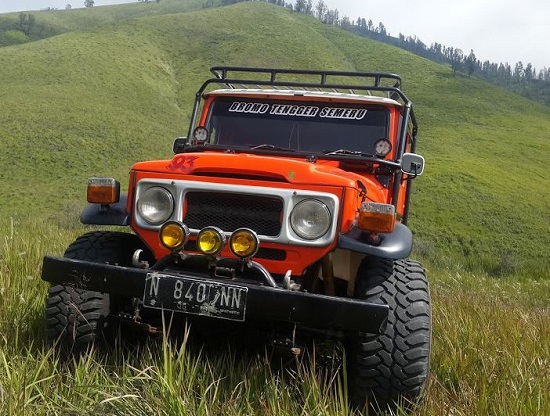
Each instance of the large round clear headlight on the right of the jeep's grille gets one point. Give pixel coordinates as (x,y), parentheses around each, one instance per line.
(310,219)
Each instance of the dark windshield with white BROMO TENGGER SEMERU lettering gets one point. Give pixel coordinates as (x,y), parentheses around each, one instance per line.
(309,127)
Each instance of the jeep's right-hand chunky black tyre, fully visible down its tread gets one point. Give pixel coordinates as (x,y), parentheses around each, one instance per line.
(391,369)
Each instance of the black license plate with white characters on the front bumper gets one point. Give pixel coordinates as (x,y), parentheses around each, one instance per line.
(194,296)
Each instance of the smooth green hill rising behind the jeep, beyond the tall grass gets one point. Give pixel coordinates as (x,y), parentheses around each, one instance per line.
(94,100)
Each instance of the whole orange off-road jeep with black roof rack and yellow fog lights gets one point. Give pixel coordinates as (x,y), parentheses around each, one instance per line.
(284,209)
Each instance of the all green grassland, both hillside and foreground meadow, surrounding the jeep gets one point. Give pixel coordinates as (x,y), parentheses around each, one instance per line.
(116,86)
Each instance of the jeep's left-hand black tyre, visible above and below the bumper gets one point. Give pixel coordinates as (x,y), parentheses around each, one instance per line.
(75,318)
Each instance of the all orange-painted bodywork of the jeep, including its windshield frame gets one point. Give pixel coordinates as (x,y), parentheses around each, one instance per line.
(351,182)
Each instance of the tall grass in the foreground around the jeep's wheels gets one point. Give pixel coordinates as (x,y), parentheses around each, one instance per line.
(491,354)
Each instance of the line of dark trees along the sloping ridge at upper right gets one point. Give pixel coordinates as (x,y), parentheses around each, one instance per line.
(520,78)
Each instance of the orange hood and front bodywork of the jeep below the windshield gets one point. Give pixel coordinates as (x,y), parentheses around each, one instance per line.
(265,171)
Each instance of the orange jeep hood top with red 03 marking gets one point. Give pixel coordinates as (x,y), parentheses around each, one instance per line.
(257,167)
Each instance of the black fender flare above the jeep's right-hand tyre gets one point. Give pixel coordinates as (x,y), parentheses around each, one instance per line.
(395,245)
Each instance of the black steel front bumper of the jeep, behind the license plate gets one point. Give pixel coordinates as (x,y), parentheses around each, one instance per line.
(264,304)
